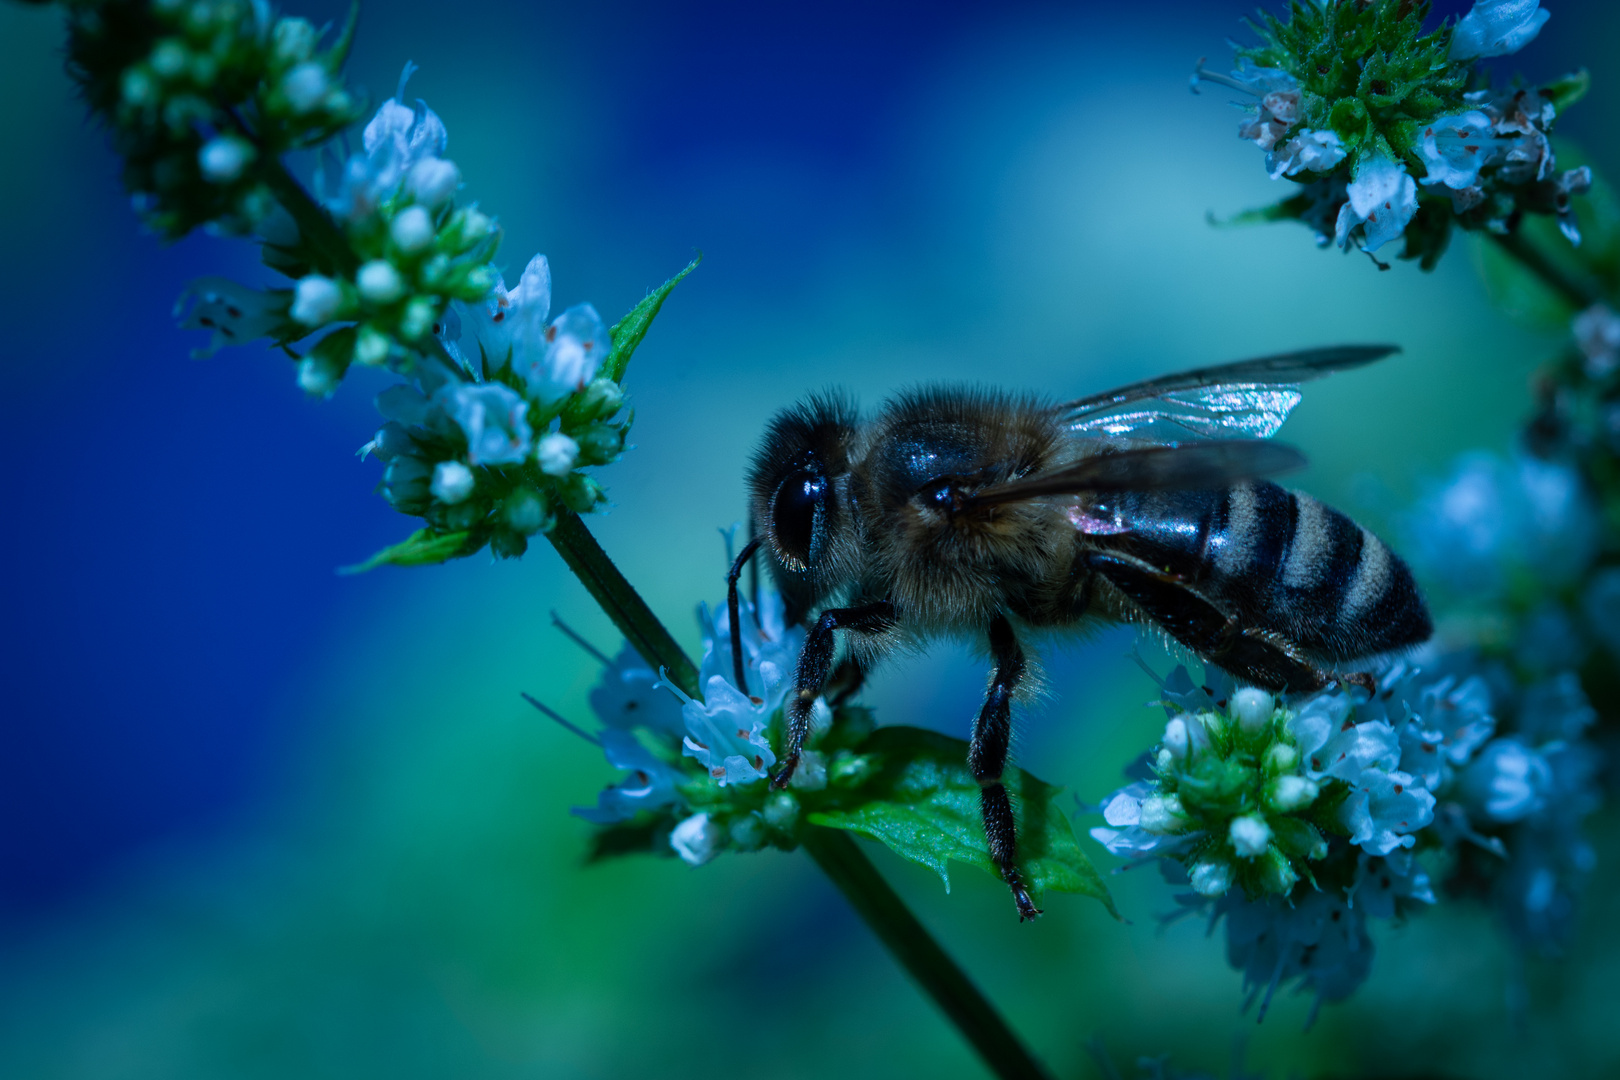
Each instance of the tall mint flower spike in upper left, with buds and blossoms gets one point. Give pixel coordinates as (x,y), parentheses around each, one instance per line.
(503,407)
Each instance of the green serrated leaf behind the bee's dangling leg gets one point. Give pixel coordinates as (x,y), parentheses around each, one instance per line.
(923,802)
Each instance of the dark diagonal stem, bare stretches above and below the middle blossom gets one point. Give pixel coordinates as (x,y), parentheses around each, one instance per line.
(833,851)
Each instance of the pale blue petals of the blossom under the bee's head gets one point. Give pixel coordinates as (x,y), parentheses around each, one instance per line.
(725,736)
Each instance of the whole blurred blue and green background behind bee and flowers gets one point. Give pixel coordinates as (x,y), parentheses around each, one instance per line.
(258,820)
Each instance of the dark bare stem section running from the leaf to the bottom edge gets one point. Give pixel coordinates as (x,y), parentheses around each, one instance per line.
(911,943)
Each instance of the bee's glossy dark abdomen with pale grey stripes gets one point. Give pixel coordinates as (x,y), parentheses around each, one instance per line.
(1279,561)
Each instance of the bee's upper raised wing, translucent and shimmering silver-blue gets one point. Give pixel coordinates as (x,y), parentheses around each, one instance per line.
(1243,401)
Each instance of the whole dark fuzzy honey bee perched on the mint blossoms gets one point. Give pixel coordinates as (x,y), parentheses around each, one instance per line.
(976,514)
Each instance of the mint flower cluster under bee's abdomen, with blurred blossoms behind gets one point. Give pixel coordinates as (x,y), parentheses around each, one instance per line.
(1300,822)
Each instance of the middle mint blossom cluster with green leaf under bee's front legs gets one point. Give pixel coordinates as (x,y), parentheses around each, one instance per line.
(699,770)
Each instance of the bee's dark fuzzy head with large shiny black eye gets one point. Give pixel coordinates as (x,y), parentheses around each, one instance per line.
(798,500)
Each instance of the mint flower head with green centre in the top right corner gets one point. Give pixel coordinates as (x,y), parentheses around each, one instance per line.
(1394,132)
